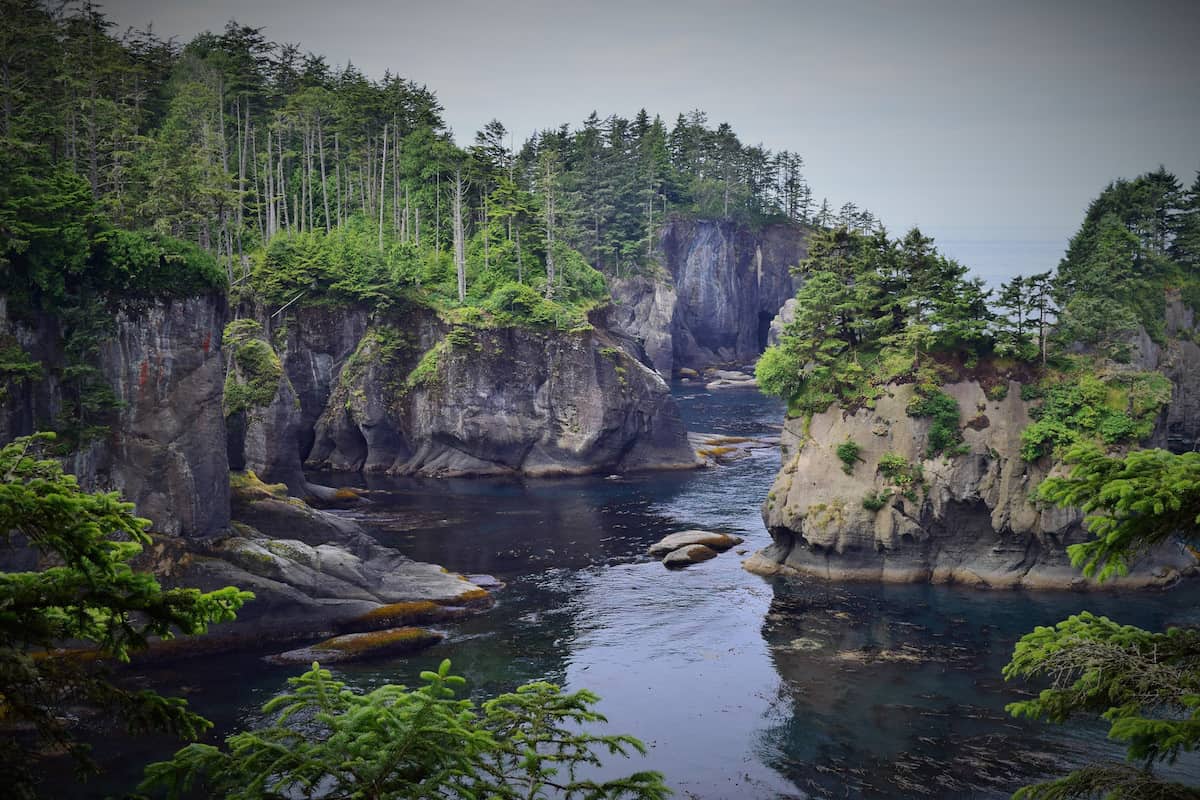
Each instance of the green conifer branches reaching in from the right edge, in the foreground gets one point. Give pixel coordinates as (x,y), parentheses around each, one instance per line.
(1145,684)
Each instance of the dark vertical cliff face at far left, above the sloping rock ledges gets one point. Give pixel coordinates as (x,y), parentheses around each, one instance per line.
(166,449)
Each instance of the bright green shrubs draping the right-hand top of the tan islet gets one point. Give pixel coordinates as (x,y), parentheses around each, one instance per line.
(1079,406)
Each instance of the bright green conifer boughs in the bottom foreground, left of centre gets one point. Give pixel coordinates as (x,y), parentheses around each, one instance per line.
(326,741)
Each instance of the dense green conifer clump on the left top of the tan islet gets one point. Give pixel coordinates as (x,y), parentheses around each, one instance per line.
(871,312)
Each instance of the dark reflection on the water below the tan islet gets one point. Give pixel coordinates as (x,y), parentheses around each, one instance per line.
(896,691)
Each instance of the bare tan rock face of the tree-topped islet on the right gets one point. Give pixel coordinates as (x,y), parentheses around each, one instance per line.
(967,519)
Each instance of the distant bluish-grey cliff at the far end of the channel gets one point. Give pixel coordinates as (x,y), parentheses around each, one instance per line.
(725,285)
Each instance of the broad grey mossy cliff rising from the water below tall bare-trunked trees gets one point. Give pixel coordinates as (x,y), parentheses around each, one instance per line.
(416,396)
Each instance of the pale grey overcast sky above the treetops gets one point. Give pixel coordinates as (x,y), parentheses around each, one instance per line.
(989,125)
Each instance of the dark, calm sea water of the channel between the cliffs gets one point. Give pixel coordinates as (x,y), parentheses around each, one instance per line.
(742,687)
